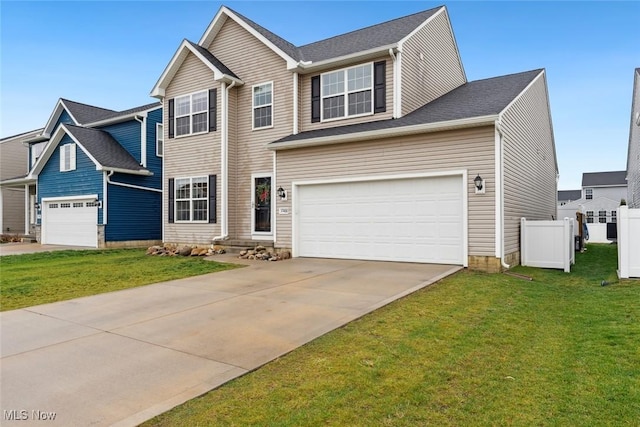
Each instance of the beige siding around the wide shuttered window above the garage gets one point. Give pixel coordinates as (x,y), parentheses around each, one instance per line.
(305,100)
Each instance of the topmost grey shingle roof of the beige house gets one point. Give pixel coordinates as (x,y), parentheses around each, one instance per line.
(359,40)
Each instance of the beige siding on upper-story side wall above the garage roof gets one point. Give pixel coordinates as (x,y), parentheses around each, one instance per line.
(431,65)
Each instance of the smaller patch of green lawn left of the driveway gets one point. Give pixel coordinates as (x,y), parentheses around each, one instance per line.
(27,280)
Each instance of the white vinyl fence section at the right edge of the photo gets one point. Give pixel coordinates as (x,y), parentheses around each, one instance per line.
(628,242)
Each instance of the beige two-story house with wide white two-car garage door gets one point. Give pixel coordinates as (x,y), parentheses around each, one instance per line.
(368,145)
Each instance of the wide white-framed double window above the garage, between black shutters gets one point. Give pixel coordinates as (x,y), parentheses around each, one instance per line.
(347,92)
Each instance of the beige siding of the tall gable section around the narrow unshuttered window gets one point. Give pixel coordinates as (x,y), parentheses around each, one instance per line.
(254,63)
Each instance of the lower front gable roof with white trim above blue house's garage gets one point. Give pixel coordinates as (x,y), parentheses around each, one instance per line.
(103,150)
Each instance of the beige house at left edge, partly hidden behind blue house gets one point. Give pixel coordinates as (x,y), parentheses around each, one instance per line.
(14,165)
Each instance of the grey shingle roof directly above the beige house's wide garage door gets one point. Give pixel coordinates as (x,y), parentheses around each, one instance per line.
(473,99)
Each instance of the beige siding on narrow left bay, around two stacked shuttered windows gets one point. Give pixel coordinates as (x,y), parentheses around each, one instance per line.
(190,156)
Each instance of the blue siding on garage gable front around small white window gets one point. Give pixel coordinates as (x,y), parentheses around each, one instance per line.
(84,180)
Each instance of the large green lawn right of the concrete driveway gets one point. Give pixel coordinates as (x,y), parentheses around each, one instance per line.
(473,349)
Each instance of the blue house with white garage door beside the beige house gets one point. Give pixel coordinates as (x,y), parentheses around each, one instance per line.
(96,176)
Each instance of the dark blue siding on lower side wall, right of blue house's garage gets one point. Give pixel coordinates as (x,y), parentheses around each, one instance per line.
(133,214)
